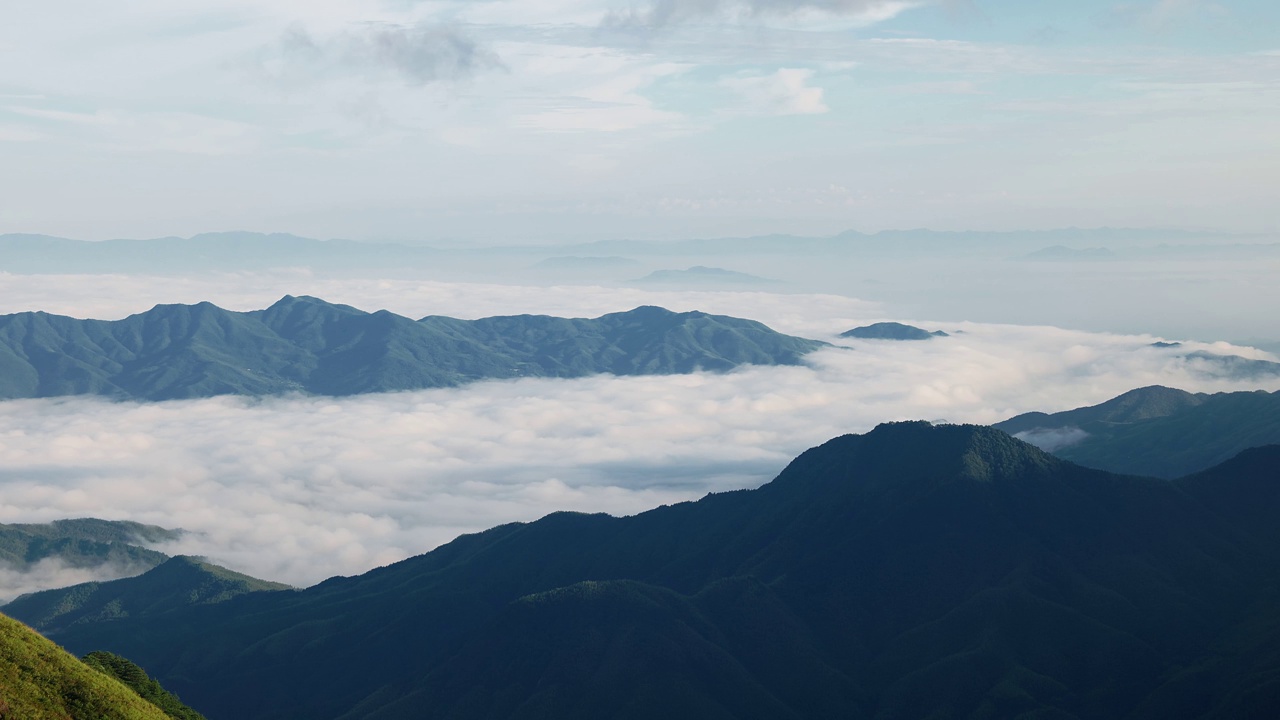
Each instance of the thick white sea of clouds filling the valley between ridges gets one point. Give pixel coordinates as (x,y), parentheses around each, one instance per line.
(301,489)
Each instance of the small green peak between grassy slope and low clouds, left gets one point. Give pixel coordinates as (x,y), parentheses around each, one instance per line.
(177,584)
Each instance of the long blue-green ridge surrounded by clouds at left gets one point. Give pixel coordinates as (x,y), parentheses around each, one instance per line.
(308,345)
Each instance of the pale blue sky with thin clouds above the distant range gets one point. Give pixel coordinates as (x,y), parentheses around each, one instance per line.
(525,121)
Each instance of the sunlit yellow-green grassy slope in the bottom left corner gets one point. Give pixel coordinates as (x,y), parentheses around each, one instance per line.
(39,681)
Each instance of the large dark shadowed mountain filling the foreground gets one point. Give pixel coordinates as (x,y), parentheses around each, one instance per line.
(912,572)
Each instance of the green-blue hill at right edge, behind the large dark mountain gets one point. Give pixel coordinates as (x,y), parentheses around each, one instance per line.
(1156,431)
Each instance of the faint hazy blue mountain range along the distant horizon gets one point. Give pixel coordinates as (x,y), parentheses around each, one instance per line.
(258,252)
